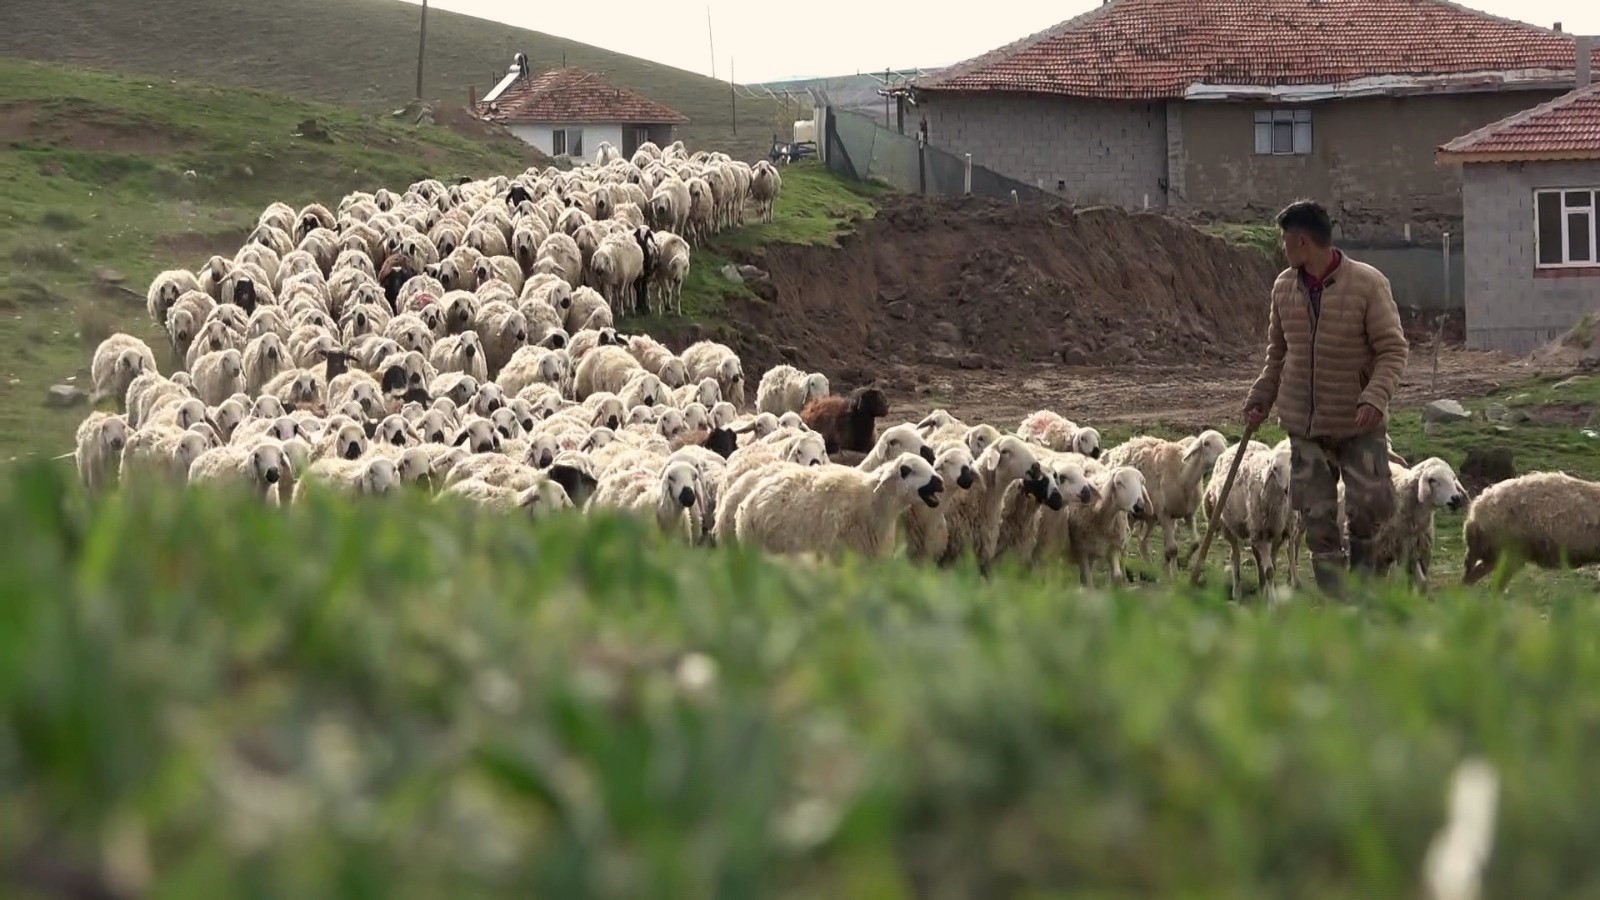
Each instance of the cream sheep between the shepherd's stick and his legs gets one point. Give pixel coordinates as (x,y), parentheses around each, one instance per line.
(1258,508)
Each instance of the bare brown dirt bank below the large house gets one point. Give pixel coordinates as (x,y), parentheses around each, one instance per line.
(970,283)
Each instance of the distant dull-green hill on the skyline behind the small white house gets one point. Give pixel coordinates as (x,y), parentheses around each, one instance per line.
(359,54)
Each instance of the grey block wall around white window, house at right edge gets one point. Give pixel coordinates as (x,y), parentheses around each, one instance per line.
(1508,307)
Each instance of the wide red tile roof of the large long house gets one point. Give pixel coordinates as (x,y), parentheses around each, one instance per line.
(1158,49)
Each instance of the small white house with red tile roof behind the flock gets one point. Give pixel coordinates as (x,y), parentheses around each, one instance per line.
(570,113)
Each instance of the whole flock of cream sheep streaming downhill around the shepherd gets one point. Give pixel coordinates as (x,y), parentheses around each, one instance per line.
(465,340)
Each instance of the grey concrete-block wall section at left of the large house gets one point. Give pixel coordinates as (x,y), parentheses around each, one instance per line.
(1089,153)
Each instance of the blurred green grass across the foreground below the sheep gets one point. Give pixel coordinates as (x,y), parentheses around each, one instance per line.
(201,697)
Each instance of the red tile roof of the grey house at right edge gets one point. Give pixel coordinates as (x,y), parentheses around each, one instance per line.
(1564,129)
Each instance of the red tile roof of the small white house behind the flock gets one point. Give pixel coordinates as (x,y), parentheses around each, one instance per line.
(575,95)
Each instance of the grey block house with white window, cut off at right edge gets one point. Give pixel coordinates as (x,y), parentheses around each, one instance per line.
(1530,188)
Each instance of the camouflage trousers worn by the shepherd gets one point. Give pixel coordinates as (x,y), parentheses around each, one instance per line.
(1318,467)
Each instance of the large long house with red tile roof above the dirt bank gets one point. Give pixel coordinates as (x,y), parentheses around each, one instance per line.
(1236,108)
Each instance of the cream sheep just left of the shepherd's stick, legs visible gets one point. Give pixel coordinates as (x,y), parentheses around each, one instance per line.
(1174,473)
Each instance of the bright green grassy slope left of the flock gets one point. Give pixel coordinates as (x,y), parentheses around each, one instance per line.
(105,174)
